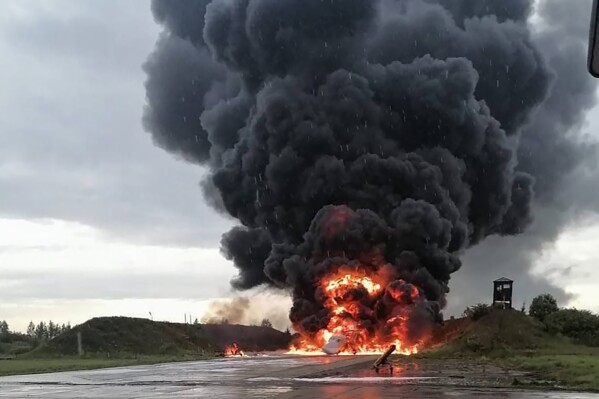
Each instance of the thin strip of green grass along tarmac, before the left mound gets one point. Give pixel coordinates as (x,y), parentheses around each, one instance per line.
(36,366)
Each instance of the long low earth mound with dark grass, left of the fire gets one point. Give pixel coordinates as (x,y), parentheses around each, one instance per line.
(123,335)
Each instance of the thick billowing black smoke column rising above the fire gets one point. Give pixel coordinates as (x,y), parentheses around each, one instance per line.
(341,131)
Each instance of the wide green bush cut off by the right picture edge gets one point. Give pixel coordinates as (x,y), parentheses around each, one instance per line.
(580,325)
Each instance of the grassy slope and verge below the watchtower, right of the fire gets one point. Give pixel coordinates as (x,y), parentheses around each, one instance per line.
(517,342)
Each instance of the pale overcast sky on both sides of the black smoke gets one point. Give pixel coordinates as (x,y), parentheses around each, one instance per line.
(94,219)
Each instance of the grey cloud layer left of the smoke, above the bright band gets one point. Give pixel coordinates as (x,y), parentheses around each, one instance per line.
(72,142)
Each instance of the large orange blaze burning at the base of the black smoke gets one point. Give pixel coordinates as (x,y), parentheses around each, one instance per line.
(352,296)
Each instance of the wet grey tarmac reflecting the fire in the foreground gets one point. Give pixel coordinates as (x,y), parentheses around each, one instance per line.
(260,377)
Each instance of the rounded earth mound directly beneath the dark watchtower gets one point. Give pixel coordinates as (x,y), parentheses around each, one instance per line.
(500,331)
